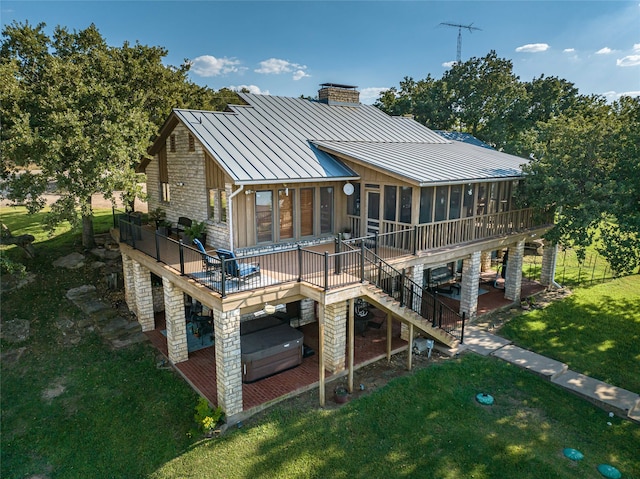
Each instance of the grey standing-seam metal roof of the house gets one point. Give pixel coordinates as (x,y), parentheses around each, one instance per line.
(280,139)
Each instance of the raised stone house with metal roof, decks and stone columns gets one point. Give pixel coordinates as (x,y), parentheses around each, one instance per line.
(278,182)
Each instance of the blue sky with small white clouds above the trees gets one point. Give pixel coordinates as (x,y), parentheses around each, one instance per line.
(289,48)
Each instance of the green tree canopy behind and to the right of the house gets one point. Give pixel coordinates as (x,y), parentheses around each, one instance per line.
(586,158)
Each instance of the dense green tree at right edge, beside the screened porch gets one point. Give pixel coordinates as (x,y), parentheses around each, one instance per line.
(586,171)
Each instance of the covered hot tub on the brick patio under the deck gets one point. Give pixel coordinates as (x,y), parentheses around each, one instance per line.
(268,351)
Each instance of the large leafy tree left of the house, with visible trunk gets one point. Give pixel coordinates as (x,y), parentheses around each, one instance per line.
(81,114)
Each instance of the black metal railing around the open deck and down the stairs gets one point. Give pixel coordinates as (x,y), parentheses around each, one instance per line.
(325,270)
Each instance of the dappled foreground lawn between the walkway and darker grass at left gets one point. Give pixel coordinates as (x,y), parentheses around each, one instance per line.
(427,424)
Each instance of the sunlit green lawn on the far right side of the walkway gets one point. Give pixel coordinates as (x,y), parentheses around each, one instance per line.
(596,331)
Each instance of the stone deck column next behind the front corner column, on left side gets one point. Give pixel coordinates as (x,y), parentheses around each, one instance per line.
(176,322)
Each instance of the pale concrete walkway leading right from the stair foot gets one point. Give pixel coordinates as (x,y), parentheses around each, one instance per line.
(611,398)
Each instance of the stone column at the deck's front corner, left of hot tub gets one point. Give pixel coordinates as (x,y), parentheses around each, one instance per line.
(226,326)
